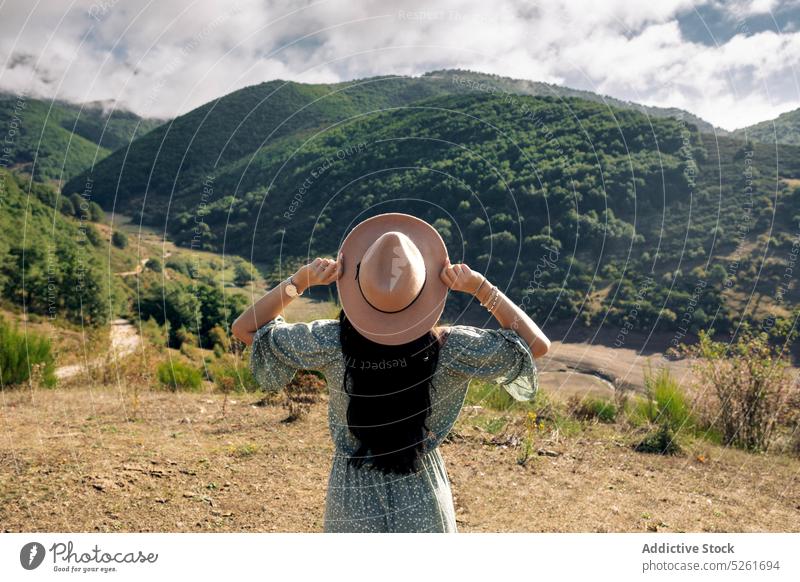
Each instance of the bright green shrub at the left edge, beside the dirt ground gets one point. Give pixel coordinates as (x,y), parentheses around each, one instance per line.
(22,353)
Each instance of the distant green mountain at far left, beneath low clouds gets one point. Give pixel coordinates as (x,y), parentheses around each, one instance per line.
(57,140)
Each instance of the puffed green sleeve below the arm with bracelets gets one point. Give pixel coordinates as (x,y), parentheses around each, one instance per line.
(500,356)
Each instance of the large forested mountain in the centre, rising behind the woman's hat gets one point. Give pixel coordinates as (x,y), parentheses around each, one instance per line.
(581,210)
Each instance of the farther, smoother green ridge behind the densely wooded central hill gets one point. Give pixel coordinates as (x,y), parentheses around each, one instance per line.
(182,154)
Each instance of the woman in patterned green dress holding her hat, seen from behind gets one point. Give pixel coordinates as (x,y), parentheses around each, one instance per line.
(397,381)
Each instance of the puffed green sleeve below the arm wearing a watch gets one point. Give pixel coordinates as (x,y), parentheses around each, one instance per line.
(280,349)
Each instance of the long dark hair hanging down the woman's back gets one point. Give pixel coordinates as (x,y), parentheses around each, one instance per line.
(390,397)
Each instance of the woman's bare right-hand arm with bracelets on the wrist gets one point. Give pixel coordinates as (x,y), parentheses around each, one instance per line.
(509,315)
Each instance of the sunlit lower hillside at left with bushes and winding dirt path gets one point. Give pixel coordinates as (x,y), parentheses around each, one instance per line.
(72,268)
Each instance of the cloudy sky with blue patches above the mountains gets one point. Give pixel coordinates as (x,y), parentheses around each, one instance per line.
(733,63)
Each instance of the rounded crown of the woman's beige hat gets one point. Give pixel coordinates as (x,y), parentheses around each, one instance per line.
(392,272)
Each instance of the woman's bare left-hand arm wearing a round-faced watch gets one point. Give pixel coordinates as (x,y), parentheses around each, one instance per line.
(272,304)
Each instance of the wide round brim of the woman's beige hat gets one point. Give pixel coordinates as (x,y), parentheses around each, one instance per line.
(419,317)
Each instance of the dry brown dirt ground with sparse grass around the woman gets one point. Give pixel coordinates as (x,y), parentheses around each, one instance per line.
(79,460)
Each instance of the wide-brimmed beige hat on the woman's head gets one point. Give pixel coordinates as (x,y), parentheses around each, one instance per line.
(390,289)
